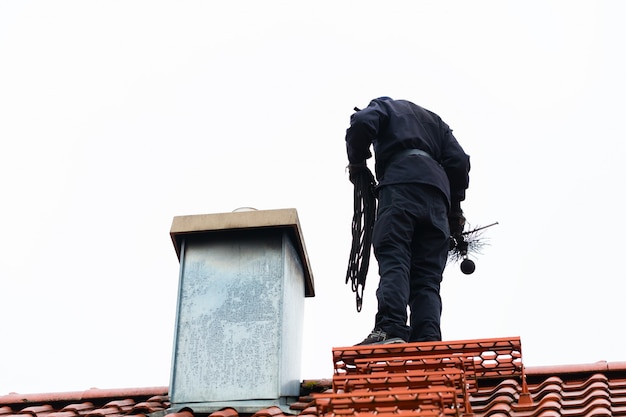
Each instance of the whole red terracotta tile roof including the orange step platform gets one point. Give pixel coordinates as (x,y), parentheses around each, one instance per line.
(467,378)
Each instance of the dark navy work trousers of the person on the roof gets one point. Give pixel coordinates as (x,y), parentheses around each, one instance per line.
(411,241)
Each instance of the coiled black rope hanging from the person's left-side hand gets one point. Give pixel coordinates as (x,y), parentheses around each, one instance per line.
(362,228)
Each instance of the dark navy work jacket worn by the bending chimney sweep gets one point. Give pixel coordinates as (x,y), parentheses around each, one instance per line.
(392,126)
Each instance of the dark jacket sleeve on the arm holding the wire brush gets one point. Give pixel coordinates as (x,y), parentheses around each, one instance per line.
(456,163)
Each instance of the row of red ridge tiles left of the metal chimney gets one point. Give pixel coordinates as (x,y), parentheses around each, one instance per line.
(92,393)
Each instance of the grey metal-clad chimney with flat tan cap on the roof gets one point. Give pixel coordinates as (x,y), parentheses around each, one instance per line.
(238,337)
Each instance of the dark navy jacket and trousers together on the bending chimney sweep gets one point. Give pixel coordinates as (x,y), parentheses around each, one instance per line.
(418,191)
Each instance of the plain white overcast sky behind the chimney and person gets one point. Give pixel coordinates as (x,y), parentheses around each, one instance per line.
(117,116)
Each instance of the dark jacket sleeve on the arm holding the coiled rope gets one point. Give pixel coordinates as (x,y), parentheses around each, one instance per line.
(364,127)
